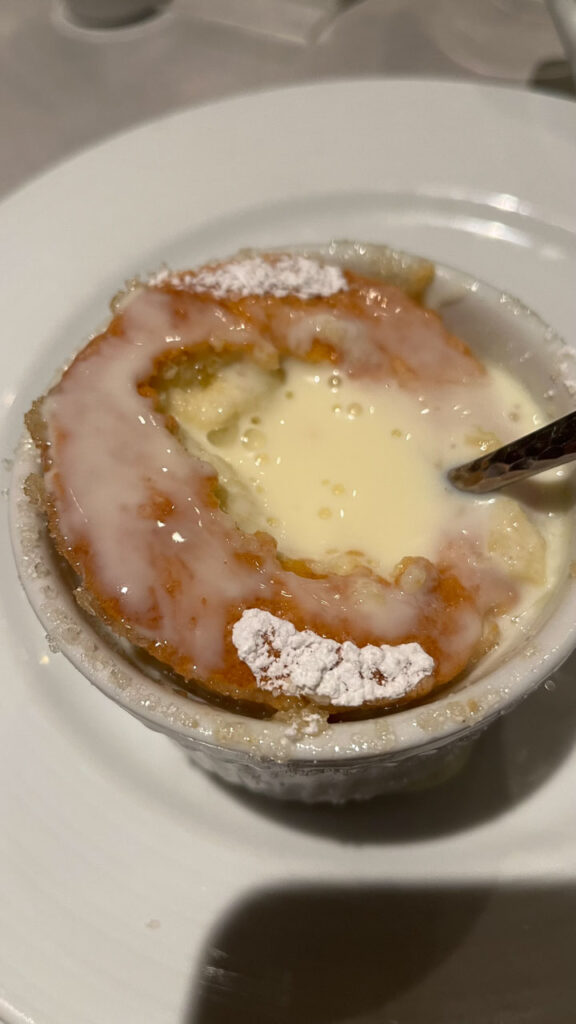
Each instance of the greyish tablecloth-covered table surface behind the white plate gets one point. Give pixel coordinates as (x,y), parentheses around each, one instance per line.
(64,88)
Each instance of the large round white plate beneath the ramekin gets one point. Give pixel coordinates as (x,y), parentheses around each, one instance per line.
(121,868)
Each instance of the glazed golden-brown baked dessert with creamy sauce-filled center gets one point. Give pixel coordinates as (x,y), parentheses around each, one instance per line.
(246,472)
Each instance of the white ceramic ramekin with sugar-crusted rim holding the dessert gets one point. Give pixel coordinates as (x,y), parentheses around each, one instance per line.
(348,760)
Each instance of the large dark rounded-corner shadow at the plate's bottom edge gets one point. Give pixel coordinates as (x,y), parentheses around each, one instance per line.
(325,955)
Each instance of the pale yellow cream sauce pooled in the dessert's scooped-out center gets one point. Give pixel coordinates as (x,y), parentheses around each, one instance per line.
(345,473)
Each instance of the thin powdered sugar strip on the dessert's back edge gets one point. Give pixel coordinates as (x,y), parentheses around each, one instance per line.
(254,276)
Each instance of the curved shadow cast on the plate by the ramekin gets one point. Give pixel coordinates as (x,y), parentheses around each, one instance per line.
(512,760)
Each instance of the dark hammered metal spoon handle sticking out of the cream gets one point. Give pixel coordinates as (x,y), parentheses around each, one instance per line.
(545,449)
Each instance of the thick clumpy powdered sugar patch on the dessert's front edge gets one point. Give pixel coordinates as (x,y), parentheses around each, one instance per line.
(285,660)
